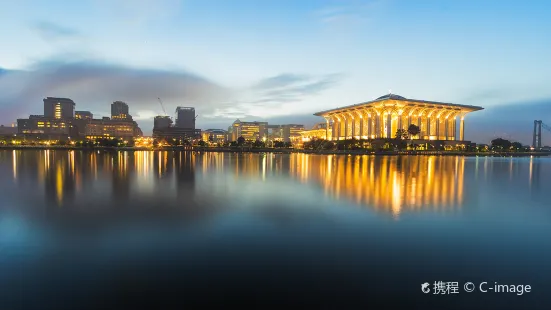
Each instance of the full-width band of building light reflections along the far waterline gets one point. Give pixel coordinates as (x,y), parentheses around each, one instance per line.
(395,184)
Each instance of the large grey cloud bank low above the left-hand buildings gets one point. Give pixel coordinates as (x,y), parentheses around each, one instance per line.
(95,85)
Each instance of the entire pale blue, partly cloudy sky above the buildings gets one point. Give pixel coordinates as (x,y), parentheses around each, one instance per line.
(279,60)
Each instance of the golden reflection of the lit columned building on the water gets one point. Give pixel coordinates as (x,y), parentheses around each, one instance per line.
(391,184)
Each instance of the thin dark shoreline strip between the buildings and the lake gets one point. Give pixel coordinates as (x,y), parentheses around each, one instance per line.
(283,151)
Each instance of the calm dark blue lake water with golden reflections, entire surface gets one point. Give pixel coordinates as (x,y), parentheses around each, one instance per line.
(275,229)
